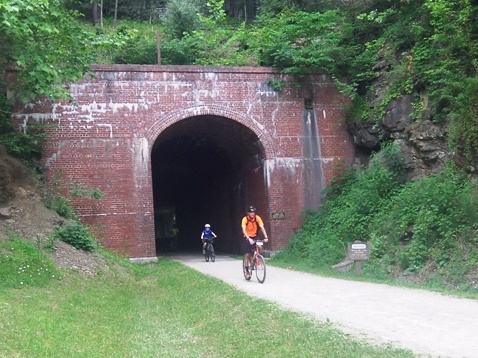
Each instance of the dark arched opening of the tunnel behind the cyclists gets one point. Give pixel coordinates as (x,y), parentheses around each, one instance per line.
(205,169)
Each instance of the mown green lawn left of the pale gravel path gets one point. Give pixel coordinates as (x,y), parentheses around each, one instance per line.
(160,310)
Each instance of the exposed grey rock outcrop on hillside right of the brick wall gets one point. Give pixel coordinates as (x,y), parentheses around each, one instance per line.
(424,142)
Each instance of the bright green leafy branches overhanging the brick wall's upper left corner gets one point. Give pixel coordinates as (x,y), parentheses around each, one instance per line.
(28,28)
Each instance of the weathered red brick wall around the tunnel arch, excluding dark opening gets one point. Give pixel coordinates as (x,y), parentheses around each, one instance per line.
(105,137)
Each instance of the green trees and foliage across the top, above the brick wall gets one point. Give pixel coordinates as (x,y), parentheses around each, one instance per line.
(424,48)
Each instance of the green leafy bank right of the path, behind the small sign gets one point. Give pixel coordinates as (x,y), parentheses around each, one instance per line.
(423,230)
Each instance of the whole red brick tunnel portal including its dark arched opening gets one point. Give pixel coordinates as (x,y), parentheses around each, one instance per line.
(192,145)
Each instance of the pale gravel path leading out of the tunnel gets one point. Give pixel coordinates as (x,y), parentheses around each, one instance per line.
(429,324)
